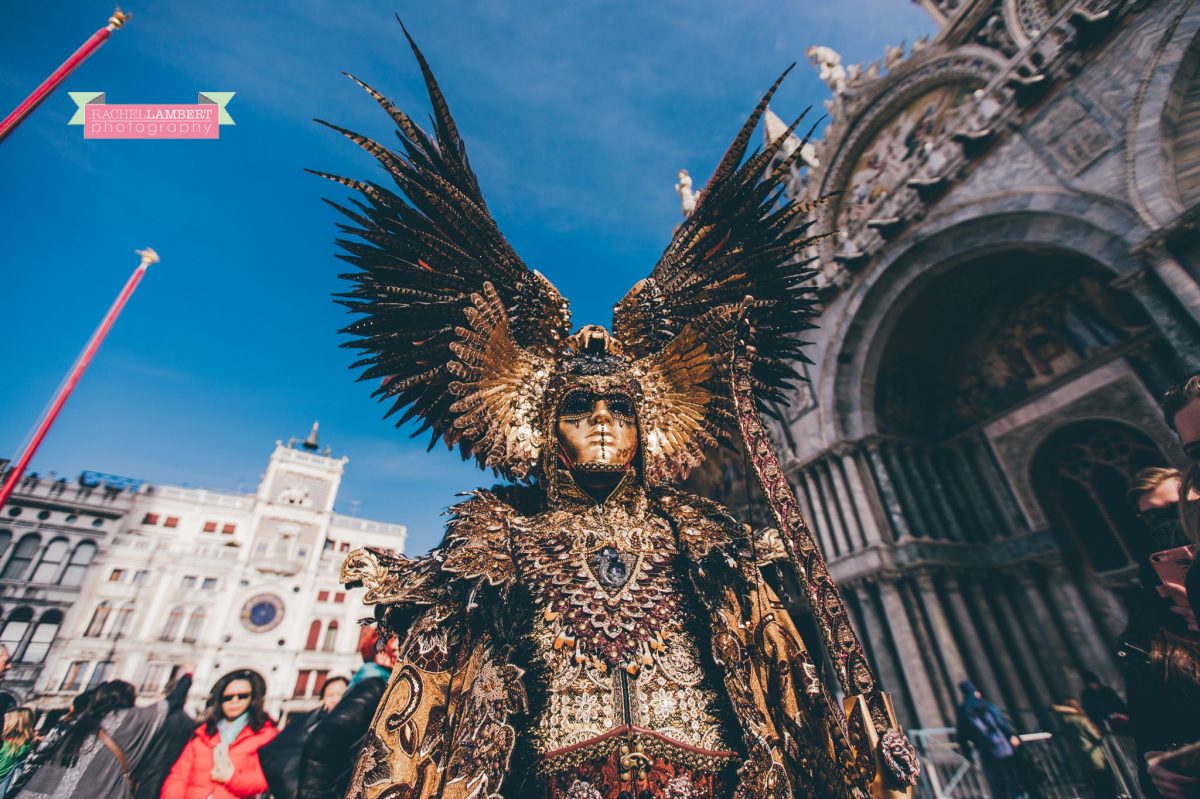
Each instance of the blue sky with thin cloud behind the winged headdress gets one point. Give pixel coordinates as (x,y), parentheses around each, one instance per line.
(577,118)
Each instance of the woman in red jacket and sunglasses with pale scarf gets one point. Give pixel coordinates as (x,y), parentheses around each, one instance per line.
(221,761)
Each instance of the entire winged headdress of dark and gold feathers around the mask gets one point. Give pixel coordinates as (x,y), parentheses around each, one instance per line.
(464,335)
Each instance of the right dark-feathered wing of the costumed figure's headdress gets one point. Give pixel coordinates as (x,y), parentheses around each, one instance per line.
(745,239)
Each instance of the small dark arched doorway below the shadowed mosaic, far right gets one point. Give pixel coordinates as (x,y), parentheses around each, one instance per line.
(1081,474)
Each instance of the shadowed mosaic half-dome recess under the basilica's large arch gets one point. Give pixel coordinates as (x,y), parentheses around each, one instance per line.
(992,334)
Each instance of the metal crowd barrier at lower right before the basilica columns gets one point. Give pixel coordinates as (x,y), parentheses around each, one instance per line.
(1049,766)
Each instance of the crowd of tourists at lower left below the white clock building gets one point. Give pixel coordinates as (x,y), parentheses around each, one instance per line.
(106,747)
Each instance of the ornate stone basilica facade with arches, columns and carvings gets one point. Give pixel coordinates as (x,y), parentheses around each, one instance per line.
(1013,286)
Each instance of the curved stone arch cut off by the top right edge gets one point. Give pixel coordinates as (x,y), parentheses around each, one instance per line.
(1150,160)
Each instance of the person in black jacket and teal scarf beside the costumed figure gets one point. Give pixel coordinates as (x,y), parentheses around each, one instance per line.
(334,744)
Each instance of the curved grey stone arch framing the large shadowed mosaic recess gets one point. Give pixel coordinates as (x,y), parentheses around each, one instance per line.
(1058,221)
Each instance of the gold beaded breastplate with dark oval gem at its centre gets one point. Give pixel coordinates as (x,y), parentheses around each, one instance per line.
(613,632)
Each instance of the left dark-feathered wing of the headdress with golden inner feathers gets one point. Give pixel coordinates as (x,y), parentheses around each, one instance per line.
(452,321)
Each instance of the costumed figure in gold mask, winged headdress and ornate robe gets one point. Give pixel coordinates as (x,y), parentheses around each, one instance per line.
(590,632)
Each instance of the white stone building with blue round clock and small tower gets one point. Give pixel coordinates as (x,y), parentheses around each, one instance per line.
(214,582)
